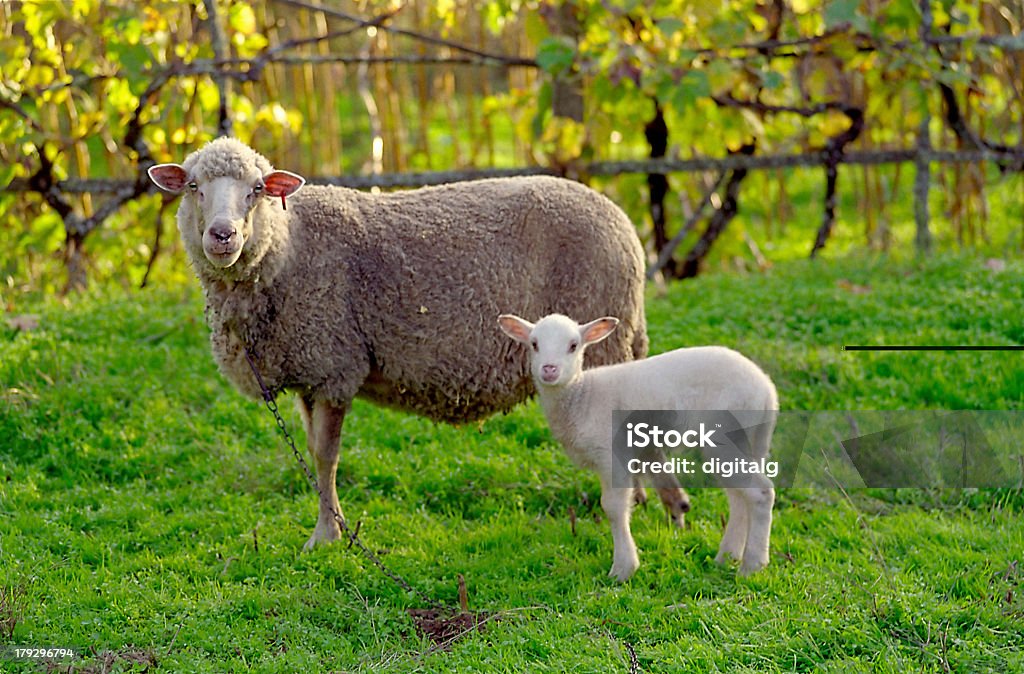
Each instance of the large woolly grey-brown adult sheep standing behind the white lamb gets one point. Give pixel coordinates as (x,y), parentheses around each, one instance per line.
(392,298)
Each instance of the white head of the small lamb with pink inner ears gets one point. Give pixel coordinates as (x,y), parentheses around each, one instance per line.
(557,345)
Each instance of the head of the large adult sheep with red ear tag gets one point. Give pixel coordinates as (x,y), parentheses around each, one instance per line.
(225,187)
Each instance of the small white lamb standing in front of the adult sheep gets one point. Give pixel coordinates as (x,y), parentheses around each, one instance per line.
(579,408)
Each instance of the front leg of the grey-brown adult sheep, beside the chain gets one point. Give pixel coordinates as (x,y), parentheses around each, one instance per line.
(324,424)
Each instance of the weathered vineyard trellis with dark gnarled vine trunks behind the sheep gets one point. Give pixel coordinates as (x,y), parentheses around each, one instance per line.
(224,70)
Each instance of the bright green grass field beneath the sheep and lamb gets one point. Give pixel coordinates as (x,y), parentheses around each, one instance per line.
(149,515)
